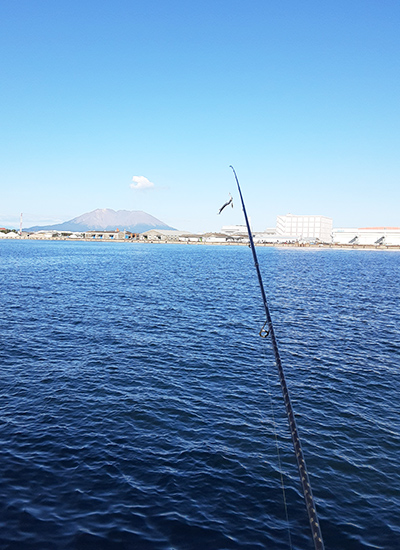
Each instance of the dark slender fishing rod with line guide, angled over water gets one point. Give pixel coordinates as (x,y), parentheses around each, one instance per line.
(264,333)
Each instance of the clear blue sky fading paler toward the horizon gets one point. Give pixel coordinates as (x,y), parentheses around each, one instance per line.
(302,97)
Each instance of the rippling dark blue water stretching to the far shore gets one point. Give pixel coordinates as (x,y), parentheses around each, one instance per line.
(139,408)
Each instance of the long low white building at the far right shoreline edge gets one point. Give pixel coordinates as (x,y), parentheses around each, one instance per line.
(384,236)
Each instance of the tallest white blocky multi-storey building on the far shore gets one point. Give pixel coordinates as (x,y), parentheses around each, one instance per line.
(306,228)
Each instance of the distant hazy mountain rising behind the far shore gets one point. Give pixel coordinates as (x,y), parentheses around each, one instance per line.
(108,220)
